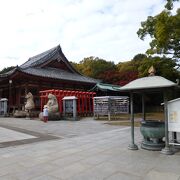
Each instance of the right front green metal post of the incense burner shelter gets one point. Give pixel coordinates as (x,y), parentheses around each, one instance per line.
(167,150)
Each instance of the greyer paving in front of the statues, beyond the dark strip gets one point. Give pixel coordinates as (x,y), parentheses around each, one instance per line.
(59,128)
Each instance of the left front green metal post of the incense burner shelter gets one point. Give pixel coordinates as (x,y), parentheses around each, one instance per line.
(132,146)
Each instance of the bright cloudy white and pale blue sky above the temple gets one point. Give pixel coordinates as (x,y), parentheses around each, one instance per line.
(101,28)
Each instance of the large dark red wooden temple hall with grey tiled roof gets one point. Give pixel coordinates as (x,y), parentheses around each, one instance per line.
(48,70)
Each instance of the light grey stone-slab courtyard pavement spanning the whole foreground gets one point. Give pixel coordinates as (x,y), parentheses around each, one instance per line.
(97,154)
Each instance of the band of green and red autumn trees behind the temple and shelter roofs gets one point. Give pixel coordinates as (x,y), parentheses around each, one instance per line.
(124,72)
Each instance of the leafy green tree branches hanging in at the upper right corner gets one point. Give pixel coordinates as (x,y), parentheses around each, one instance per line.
(164,29)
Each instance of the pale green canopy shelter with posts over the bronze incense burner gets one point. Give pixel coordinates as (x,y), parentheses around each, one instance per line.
(149,84)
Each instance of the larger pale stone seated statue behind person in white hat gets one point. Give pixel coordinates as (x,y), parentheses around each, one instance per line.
(52,103)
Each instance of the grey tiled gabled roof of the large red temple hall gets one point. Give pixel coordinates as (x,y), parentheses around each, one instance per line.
(38,66)
